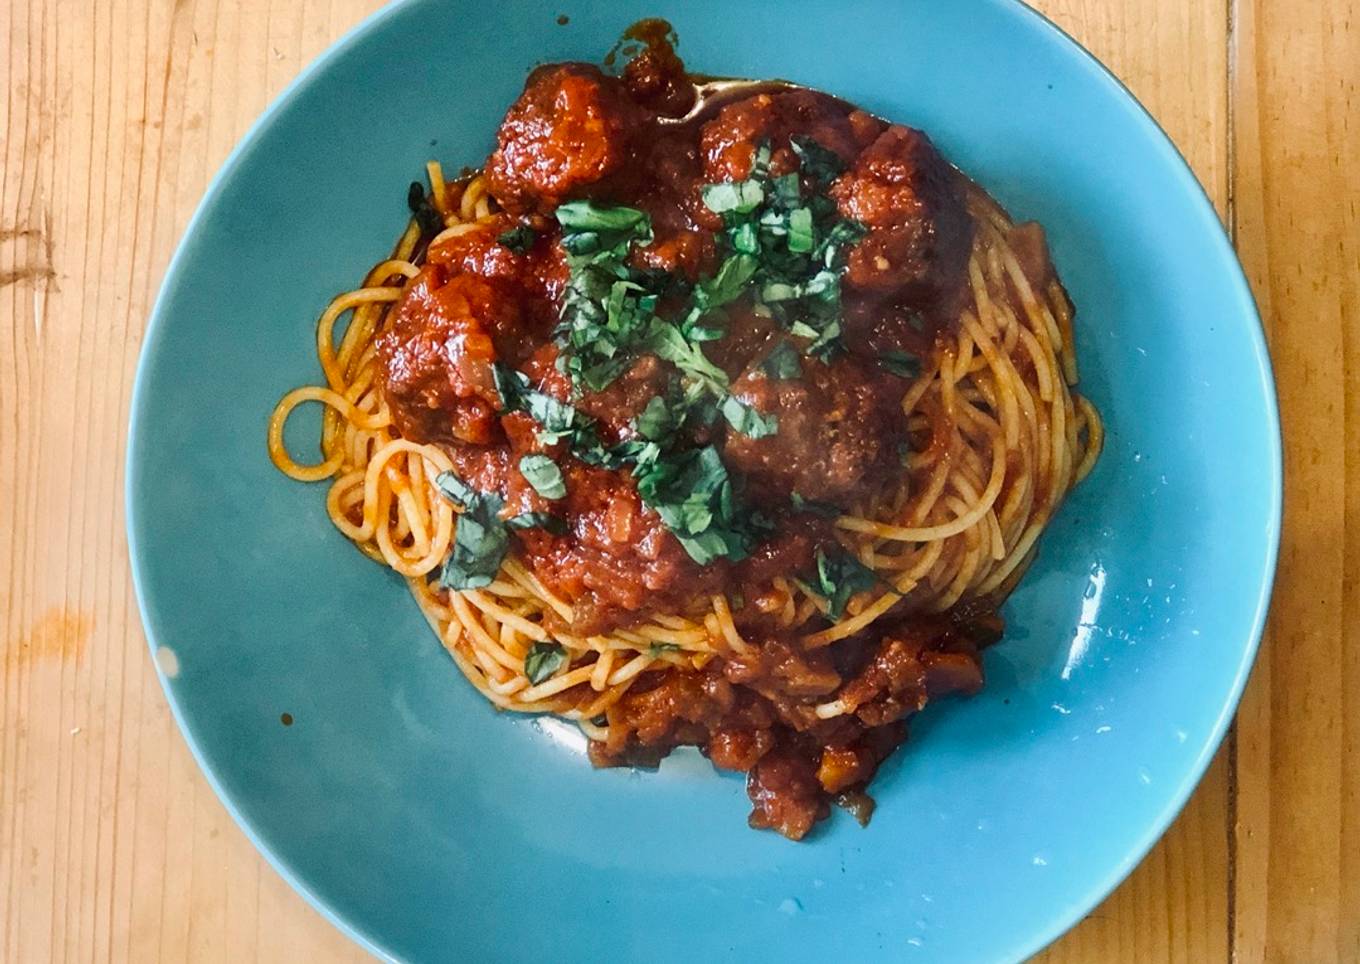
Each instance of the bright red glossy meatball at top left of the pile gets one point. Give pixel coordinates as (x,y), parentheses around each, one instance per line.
(572,128)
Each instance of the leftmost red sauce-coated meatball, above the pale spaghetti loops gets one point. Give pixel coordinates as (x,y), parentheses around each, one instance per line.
(437,353)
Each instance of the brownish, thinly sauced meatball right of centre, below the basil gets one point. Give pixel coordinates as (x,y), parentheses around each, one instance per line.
(838,429)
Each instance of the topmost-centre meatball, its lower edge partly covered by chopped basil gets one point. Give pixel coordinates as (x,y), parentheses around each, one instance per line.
(728,142)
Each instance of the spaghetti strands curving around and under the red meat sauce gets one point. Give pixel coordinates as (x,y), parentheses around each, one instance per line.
(996,436)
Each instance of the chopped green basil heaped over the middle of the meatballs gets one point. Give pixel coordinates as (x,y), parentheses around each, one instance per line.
(783,245)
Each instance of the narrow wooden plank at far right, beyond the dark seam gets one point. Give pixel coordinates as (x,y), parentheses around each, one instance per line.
(1297,101)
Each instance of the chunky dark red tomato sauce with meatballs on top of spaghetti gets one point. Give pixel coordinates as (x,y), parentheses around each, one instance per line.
(580,134)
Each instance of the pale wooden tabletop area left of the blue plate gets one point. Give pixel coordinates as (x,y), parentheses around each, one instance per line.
(112,845)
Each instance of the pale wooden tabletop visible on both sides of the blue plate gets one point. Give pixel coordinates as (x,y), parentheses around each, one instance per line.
(118,112)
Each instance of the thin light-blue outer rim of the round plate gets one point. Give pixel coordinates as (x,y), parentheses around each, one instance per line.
(1218,236)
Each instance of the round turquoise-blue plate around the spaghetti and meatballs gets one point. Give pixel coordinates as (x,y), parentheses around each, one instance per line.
(433,829)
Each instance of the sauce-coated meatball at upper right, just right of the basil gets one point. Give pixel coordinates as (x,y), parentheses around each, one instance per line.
(920,230)
